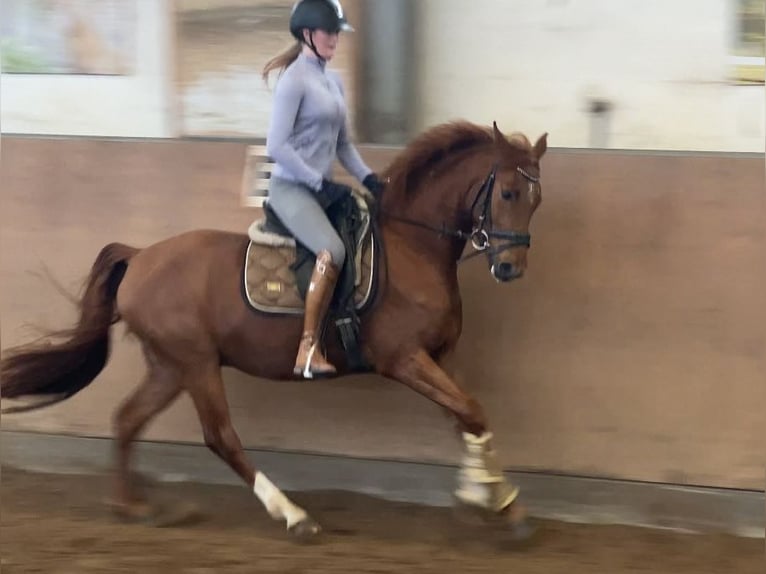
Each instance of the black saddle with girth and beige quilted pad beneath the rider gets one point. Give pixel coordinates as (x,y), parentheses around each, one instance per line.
(278,270)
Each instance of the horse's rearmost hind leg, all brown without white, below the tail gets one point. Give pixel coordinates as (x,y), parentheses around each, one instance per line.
(159,388)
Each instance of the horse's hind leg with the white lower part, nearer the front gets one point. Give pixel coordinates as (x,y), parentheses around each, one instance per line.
(206,388)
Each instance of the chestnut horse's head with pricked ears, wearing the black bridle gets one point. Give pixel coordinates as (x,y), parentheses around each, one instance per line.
(504,205)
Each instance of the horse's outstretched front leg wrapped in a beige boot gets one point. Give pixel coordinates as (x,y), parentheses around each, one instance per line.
(481,482)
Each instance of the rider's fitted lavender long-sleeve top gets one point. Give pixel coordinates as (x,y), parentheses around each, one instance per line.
(308,125)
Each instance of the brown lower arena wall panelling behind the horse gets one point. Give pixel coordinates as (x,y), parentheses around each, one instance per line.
(632,349)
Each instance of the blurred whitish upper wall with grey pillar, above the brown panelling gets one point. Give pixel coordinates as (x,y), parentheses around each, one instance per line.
(633,74)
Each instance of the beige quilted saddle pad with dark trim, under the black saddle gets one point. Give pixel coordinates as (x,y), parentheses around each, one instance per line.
(269,283)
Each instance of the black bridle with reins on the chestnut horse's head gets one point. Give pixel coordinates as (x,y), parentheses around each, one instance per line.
(482,233)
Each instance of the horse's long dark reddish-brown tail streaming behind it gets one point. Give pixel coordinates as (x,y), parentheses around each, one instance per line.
(51,372)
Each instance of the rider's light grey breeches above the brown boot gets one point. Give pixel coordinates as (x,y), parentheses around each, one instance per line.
(297,207)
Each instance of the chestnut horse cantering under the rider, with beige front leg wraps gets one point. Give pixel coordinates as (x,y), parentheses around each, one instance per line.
(181,298)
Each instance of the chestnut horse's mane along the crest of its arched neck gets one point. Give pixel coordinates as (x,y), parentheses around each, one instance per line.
(429,148)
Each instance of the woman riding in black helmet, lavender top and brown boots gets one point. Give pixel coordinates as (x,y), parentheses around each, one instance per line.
(308,131)
